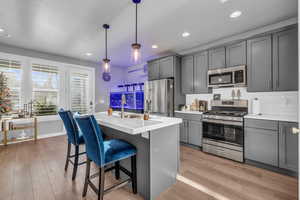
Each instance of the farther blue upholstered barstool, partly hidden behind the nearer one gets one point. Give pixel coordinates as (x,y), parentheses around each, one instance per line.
(75,138)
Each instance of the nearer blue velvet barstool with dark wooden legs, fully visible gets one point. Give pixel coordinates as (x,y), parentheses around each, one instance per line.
(104,154)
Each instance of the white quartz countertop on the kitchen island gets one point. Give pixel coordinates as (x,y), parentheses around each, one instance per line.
(135,126)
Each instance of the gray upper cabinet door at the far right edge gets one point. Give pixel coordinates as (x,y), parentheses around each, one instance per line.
(285,60)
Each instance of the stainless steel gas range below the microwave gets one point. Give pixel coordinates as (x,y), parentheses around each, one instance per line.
(223,131)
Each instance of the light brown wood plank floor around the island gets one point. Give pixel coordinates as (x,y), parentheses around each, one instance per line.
(30,171)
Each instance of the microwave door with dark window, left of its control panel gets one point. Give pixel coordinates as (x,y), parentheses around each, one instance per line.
(222,79)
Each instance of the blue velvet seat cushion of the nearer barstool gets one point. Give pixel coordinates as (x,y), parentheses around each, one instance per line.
(116,149)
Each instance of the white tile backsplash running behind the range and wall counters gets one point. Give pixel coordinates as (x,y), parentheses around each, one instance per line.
(273,103)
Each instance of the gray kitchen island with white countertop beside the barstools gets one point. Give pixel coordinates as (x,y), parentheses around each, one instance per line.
(157,143)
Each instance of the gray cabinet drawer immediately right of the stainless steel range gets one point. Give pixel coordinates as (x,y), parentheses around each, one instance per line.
(262,124)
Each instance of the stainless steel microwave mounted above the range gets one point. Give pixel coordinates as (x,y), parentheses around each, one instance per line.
(227,77)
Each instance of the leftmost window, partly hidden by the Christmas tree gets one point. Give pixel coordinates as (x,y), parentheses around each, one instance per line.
(12,71)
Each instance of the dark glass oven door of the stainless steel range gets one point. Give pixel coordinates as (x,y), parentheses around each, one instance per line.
(232,134)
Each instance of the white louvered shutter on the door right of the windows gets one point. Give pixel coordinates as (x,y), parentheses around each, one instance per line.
(79,92)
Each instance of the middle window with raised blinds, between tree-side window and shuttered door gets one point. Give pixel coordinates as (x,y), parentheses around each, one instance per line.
(45,87)
